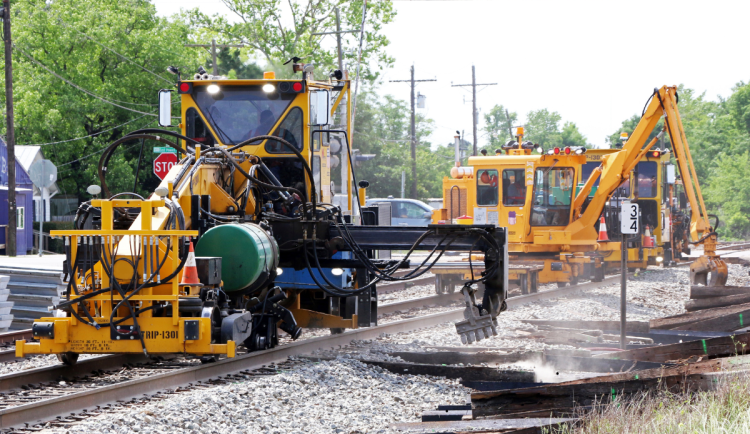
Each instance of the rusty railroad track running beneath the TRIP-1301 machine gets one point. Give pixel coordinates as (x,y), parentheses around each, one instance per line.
(26,401)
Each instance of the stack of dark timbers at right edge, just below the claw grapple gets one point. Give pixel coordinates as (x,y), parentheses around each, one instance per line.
(716,309)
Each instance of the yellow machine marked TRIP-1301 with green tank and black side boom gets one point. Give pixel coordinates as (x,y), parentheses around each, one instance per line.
(252,190)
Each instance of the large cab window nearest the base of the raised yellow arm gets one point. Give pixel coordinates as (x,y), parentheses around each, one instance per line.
(553,193)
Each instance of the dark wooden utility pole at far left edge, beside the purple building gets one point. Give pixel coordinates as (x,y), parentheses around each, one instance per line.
(10,136)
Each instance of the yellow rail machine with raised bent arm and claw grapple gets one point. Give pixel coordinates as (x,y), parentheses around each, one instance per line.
(551,221)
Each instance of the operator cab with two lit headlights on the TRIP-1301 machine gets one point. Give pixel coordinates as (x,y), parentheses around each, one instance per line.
(219,111)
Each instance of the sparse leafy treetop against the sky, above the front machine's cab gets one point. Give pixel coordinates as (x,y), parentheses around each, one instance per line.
(264,26)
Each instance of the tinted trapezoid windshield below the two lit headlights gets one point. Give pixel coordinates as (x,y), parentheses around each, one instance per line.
(238,113)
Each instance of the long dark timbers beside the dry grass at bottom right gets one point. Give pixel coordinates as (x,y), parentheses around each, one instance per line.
(701,364)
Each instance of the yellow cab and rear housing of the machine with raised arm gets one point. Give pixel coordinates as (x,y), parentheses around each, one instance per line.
(518,188)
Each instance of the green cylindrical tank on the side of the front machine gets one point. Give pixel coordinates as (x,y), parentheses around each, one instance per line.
(248,253)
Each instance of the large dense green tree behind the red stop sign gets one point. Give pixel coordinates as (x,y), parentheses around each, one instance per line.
(117,51)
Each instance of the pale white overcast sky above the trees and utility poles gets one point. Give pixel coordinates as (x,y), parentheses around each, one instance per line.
(594,62)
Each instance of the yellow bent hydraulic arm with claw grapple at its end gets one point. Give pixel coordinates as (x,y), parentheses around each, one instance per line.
(616,169)
